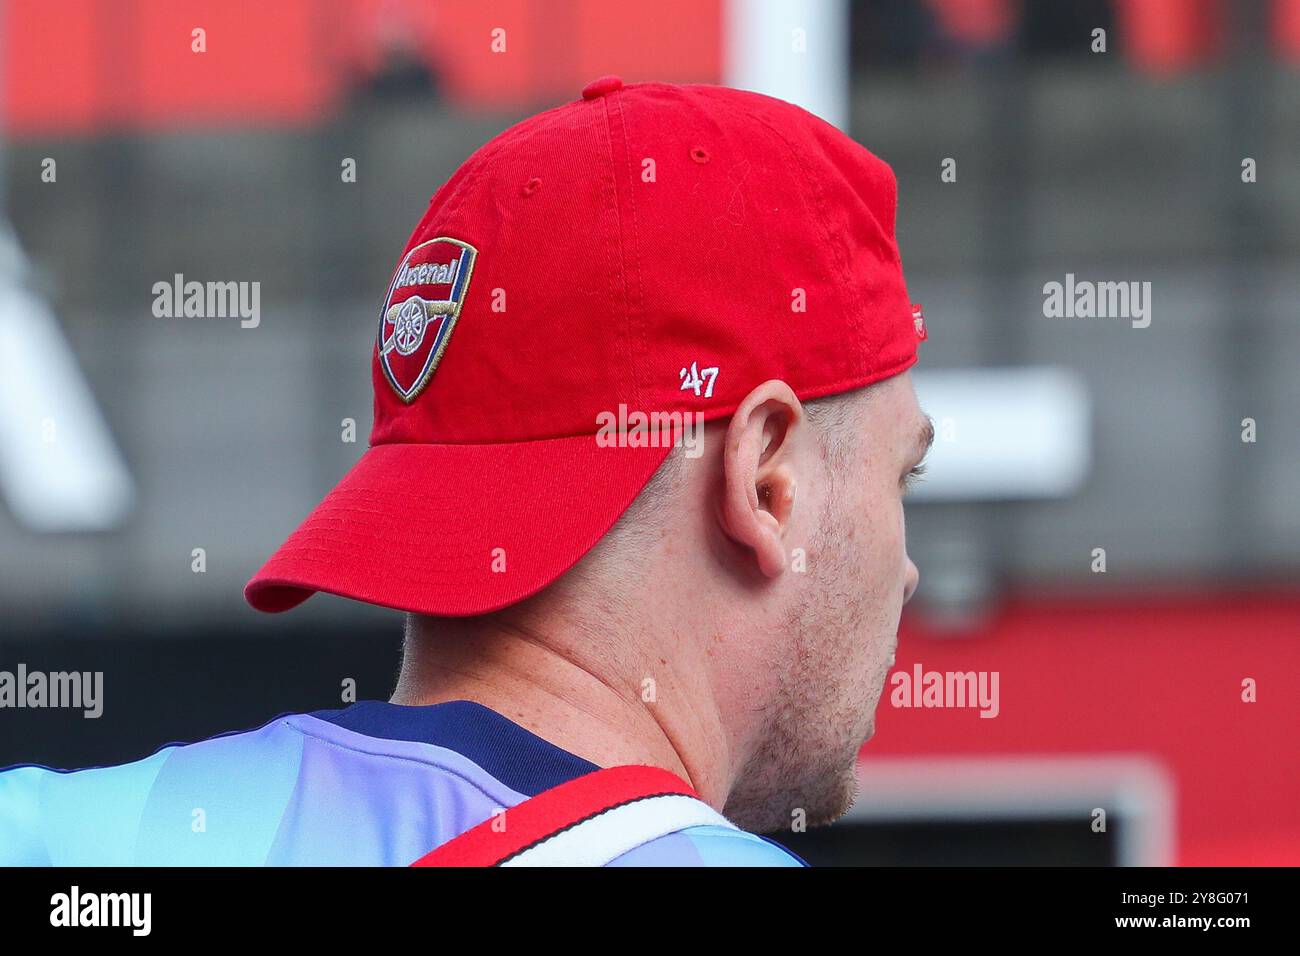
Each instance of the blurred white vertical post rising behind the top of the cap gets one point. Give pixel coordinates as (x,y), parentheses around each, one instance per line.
(794,50)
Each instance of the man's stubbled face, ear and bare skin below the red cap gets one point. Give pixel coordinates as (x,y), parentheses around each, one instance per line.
(774,569)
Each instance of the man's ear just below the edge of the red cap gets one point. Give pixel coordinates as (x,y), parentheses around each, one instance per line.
(760,473)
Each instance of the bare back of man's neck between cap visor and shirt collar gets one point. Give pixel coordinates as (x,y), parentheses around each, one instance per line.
(569,694)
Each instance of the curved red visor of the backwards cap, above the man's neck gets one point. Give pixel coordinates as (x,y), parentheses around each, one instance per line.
(457,530)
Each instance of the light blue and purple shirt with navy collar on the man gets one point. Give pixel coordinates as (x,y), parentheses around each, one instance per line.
(372,785)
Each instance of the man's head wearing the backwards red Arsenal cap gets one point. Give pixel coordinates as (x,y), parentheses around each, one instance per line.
(662,250)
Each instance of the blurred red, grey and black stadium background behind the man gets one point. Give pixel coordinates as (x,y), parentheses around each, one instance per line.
(1120,690)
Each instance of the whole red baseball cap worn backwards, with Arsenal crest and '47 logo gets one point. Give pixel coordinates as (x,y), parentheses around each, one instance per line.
(656,248)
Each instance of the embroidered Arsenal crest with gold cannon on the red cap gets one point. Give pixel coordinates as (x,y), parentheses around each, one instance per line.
(422,310)
